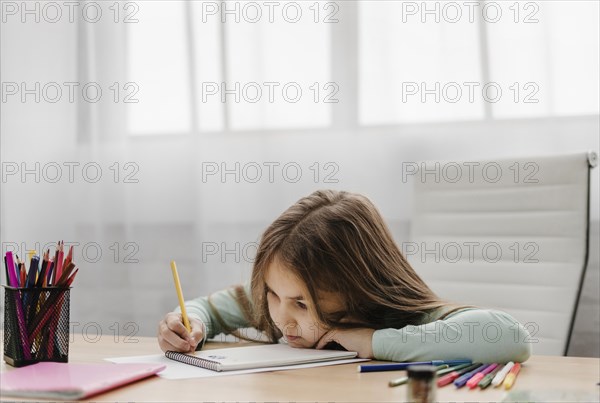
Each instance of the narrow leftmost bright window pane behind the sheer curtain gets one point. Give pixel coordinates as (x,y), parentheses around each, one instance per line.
(157,64)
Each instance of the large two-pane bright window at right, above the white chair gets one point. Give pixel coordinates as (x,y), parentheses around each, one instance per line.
(424,62)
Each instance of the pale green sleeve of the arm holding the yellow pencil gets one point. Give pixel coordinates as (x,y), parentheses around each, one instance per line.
(224,305)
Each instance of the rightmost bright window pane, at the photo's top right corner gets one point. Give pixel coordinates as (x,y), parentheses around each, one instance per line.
(551,59)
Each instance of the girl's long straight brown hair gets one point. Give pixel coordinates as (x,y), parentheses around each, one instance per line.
(337,241)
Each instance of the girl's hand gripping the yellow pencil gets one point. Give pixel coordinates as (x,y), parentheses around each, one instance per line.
(172,334)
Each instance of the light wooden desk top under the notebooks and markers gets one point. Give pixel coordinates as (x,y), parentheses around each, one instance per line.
(340,383)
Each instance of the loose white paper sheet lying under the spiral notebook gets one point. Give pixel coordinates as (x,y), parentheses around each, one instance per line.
(179,370)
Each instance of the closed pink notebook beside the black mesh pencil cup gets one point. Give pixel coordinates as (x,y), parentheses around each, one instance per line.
(71,381)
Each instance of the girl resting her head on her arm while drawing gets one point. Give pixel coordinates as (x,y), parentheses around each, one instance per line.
(327,270)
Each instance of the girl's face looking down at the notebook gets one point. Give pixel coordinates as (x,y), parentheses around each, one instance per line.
(290,307)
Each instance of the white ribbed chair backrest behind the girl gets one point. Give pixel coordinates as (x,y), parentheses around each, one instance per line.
(509,234)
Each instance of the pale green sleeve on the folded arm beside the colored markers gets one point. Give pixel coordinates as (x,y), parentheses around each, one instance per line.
(477,334)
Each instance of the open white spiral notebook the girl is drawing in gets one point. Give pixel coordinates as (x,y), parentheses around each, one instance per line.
(264,356)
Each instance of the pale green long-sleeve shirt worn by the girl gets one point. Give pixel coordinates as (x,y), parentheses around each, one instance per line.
(481,335)
